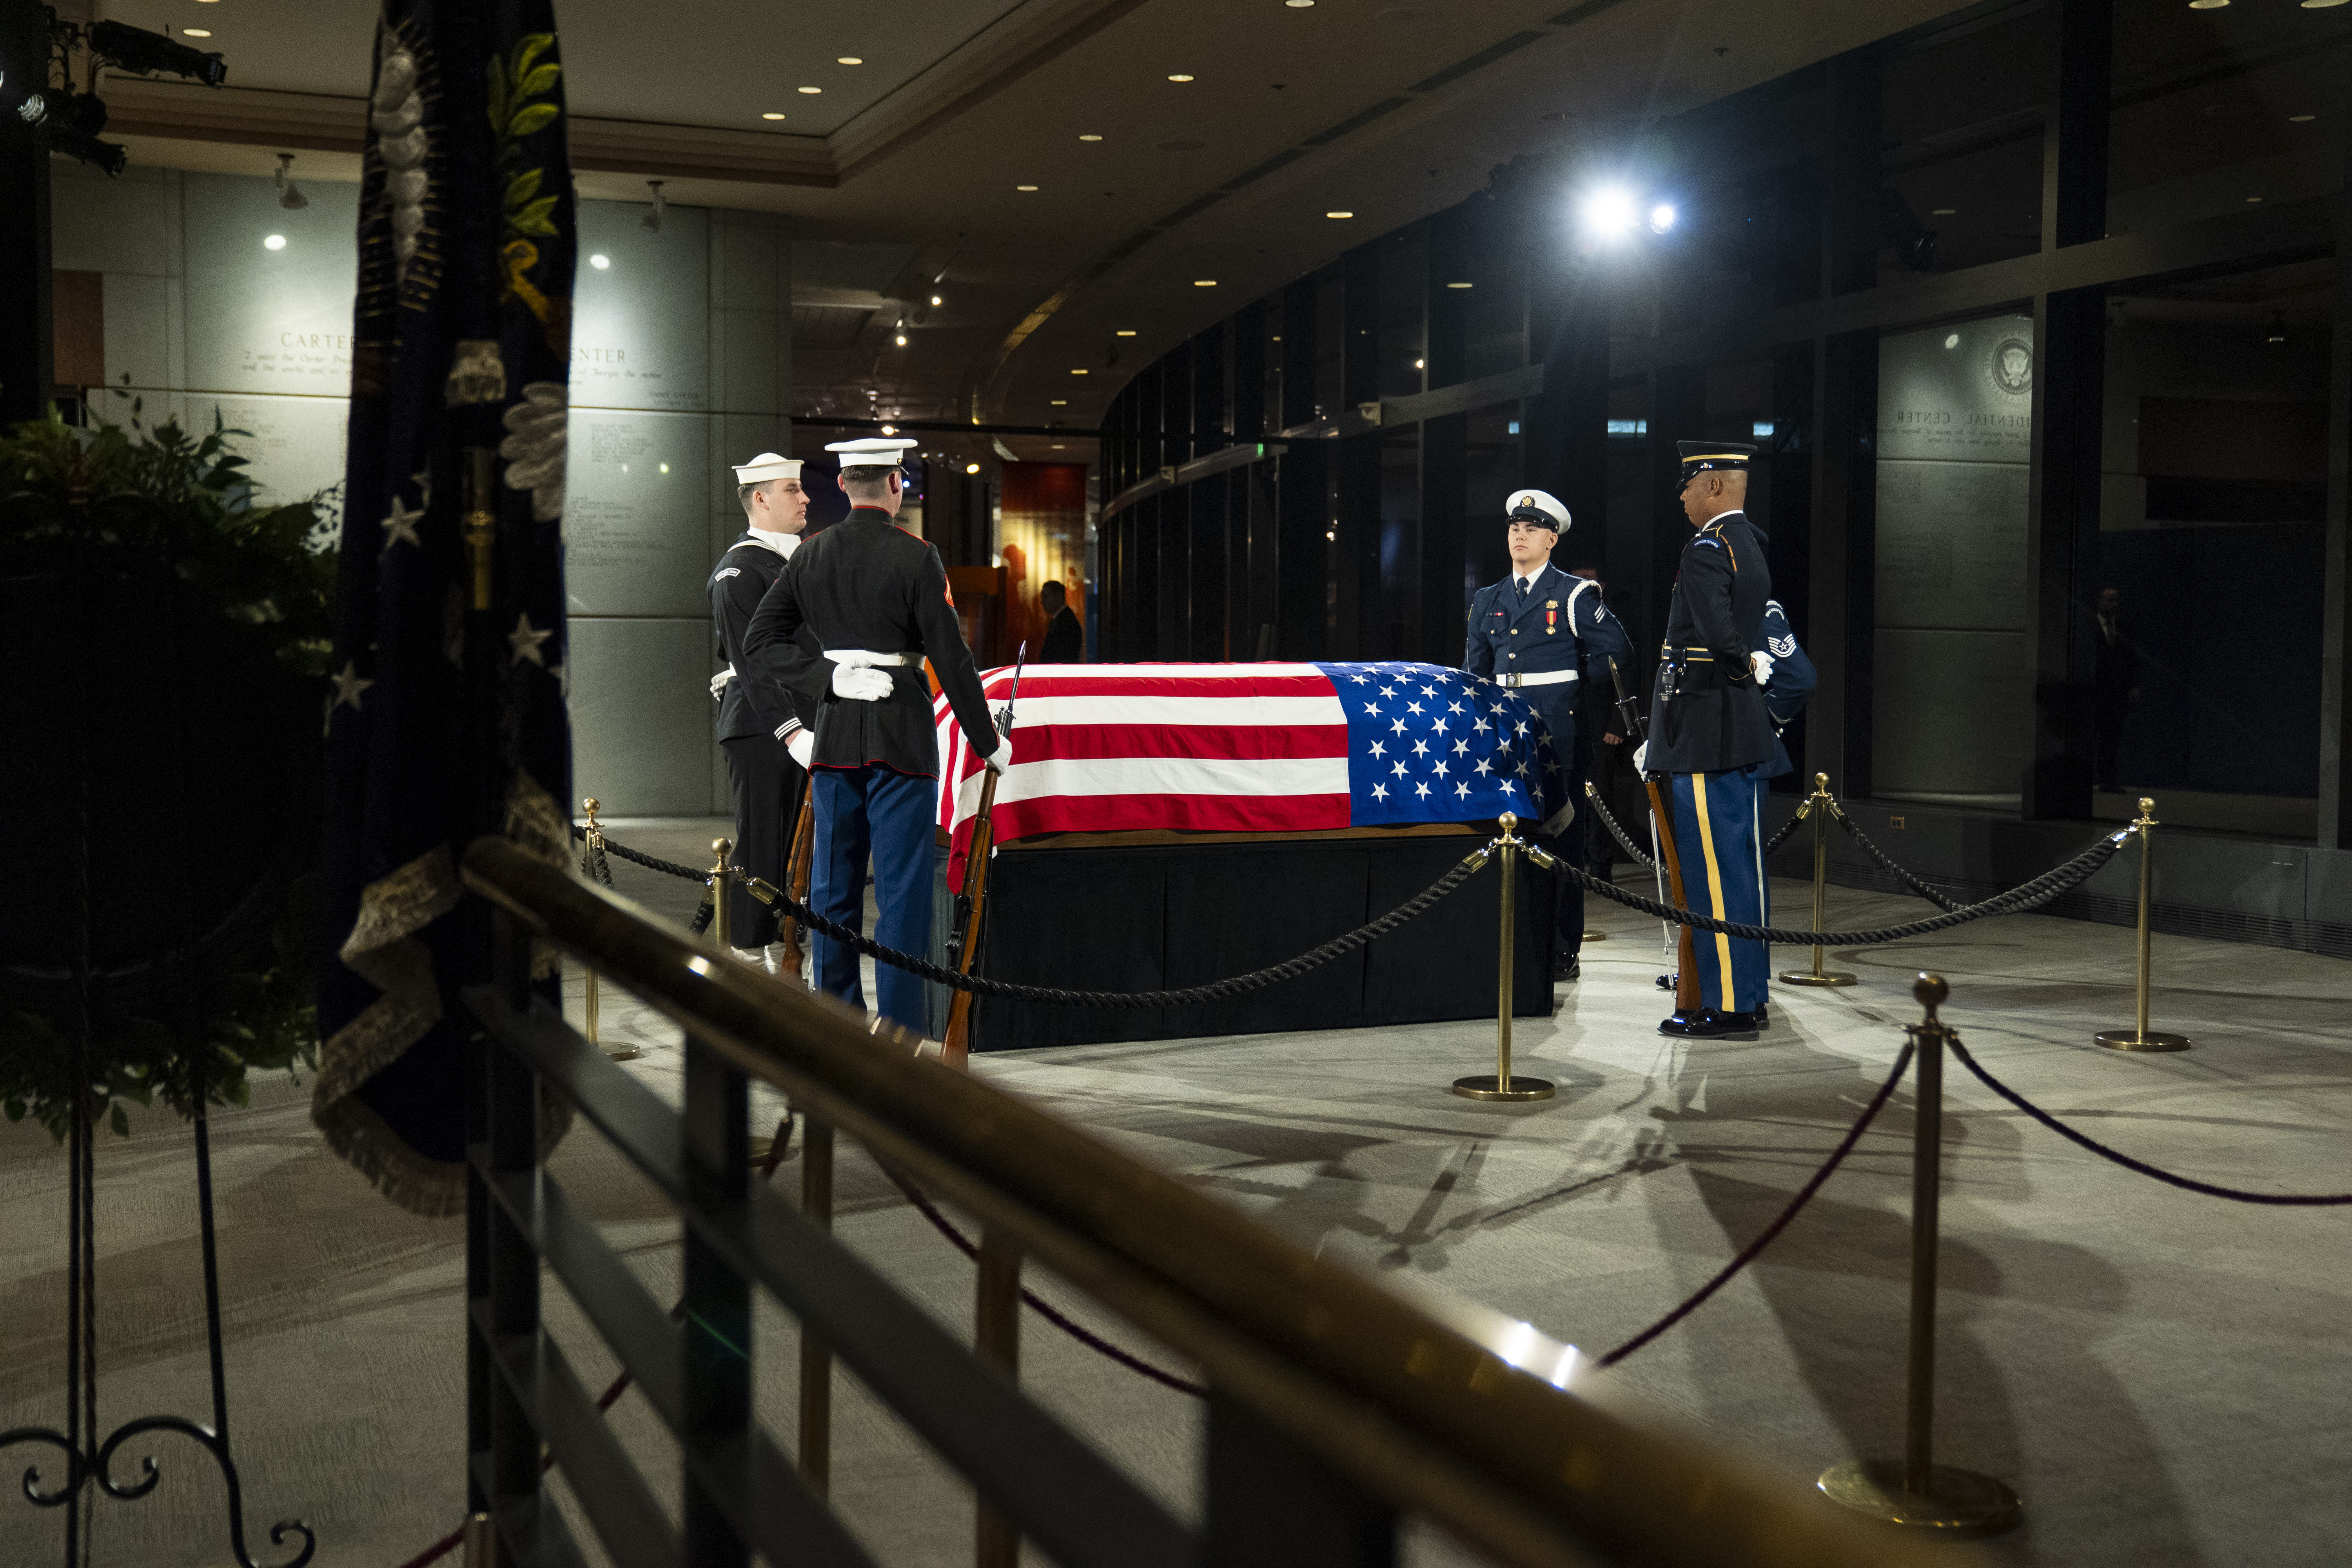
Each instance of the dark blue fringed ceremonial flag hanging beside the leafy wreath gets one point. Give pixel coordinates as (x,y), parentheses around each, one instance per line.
(448,706)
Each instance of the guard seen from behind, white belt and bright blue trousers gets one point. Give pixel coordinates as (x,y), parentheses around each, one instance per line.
(876,603)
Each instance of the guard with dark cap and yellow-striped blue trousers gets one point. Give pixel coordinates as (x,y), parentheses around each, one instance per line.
(1709,730)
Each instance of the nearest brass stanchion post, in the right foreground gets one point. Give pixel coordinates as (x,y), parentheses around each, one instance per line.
(1918,1492)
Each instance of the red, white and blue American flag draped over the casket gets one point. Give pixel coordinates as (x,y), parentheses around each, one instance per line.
(1250,749)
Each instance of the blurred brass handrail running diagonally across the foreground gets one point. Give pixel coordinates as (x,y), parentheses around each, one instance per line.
(1441,1407)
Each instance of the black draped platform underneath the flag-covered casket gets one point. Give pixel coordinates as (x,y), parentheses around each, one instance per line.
(1100,913)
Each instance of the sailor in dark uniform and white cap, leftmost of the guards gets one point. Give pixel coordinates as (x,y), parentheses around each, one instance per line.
(761,723)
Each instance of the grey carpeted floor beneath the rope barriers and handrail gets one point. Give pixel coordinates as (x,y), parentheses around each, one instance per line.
(2163,1376)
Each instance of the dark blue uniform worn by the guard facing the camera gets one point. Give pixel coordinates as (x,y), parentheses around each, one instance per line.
(1549,631)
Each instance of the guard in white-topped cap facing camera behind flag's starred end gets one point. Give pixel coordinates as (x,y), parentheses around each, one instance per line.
(1532,634)
